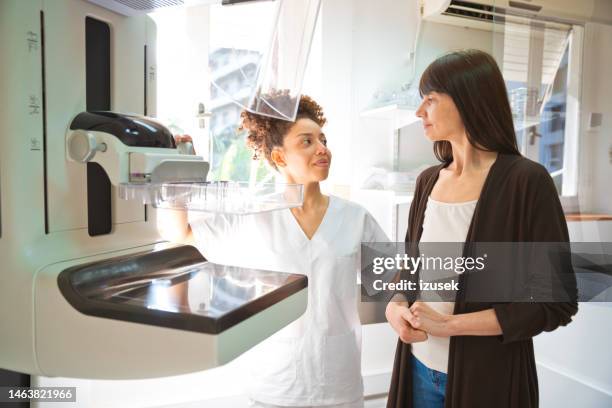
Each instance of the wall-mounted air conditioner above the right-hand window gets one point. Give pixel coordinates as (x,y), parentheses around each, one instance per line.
(485,14)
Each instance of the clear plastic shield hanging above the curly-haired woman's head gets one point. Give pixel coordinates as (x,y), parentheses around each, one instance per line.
(269,63)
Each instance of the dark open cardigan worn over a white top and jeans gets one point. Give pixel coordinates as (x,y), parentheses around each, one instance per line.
(518,203)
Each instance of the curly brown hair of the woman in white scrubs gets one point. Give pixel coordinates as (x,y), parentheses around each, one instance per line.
(265,132)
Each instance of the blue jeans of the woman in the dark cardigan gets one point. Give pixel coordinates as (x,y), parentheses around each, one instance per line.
(428,386)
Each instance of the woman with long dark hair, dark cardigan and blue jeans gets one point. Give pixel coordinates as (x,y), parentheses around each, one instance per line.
(465,354)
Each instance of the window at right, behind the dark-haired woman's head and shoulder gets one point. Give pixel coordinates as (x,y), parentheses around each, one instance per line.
(537,60)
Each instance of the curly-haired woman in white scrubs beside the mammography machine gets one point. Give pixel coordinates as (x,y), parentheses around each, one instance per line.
(316,360)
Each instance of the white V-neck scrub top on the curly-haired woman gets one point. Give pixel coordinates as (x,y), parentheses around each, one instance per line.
(316,360)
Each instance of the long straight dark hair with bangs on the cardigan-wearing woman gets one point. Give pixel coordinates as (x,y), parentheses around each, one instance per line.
(474,82)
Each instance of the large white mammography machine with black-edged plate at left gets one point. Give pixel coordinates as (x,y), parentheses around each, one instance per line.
(88,289)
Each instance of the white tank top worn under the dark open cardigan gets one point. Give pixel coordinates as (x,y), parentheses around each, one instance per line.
(444,222)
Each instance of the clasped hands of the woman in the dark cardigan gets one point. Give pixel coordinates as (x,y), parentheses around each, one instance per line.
(414,323)
